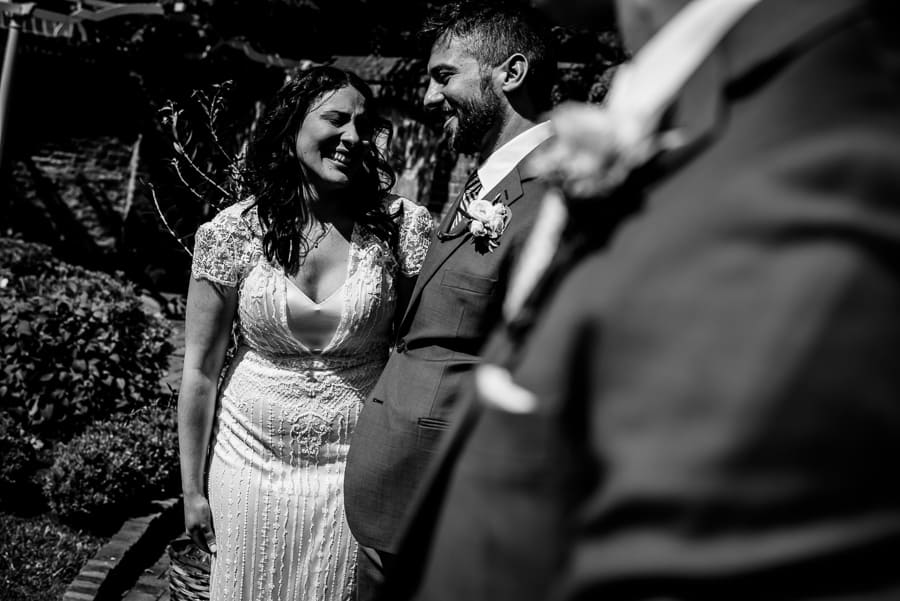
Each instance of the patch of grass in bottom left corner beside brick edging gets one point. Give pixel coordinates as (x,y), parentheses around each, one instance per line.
(39,557)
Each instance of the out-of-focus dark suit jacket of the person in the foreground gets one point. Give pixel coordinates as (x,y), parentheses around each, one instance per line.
(720,392)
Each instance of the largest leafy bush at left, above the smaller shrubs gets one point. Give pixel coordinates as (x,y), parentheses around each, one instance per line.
(77,344)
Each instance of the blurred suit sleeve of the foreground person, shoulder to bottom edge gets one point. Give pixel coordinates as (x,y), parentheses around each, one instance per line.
(738,372)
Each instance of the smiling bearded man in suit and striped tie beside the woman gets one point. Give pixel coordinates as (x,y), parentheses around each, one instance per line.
(490,71)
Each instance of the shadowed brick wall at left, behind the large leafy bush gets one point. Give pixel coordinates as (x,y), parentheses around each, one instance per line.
(76,195)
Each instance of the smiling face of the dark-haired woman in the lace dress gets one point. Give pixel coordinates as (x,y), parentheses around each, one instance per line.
(332,137)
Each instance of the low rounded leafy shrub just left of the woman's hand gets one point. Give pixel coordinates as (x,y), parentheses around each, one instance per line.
(115,467)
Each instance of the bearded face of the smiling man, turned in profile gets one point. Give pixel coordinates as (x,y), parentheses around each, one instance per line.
(461,92)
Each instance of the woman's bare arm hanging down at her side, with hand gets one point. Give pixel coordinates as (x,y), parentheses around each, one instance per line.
(209,315)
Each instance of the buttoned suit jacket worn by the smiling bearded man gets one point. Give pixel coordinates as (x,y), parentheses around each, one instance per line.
(454,305)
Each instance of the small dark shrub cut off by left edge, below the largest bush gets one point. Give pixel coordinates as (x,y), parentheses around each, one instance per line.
(18,467)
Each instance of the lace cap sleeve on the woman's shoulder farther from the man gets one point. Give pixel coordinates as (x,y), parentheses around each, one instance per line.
(224,247)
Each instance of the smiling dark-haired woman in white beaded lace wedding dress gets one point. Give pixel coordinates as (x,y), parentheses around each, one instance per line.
(309,269)
